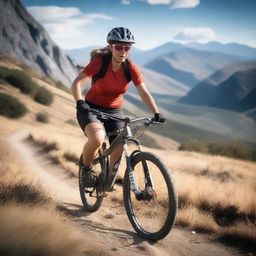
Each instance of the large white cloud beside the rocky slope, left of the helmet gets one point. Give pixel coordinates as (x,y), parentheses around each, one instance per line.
(66,26)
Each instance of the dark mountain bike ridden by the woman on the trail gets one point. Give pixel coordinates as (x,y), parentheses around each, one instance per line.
(148,190)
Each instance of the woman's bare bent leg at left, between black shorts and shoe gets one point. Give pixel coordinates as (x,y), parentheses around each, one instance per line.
(95,133)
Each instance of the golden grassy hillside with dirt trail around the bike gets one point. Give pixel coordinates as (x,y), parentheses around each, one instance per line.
(38,159)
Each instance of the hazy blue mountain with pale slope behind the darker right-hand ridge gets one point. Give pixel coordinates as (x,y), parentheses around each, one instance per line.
(190,66)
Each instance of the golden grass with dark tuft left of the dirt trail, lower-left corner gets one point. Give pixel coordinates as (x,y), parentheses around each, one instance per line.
(30,223)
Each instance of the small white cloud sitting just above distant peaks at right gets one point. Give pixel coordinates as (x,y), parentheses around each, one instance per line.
(195,34)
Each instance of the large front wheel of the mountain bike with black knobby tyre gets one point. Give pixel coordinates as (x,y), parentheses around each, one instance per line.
(151,212)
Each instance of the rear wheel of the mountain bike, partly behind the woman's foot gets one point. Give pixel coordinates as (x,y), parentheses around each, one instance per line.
(91,197)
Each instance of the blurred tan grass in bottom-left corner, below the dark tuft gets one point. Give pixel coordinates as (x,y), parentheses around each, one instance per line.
(45,234)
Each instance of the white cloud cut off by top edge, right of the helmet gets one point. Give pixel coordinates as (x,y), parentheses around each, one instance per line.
(175,3)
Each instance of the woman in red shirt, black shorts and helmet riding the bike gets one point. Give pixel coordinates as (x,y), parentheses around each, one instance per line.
(106,94)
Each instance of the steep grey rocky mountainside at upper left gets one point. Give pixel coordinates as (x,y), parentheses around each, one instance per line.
(23,38)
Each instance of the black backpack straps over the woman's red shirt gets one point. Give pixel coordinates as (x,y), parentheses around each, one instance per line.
(106,59)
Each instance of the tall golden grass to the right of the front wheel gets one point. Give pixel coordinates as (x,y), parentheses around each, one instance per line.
(216,194)
